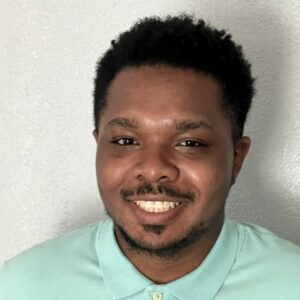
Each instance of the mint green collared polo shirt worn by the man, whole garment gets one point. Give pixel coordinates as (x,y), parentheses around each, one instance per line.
(246,263)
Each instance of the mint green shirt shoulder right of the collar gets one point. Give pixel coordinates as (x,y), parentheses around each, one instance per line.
(266,266)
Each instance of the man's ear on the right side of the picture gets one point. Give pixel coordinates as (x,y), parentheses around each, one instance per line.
(241,149)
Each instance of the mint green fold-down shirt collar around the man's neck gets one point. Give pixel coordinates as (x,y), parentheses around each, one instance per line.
(123,279)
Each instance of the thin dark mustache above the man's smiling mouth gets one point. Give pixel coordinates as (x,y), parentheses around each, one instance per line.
(160,189)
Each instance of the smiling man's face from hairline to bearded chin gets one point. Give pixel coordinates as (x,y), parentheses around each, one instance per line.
(165,157)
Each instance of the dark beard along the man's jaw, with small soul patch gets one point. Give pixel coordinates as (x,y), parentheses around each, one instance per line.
(167,250)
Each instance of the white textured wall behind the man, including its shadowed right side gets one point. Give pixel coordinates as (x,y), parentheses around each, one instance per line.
(47,57)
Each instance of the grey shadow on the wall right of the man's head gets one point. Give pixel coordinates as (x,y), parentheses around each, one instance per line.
(262,195)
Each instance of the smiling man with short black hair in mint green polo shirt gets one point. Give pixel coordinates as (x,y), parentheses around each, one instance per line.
(170,102)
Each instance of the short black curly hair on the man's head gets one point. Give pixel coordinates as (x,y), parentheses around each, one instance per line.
(181,42)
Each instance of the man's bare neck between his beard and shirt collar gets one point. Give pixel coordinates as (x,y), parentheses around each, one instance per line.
(163,270)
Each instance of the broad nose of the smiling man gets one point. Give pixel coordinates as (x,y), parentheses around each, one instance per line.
(156,165)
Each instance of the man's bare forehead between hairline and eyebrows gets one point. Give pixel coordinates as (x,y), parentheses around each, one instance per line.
(160,95)
